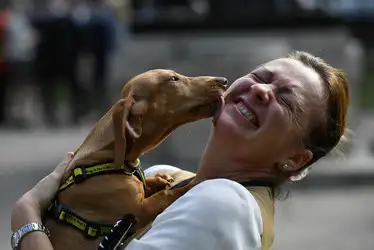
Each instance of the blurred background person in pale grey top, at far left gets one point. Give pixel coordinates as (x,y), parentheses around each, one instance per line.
(18,54)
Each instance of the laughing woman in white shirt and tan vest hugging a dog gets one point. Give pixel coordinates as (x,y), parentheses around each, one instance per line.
(275,122)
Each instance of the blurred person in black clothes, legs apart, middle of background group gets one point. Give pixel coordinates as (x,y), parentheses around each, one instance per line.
(57,59)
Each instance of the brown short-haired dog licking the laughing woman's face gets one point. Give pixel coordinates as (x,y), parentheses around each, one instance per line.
(152,105)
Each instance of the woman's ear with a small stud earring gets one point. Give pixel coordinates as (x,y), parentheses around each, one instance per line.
(297,161)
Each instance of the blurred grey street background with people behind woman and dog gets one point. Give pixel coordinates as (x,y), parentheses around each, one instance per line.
(63,63)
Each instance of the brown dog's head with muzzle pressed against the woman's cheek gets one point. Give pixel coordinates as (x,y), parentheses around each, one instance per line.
(161,100)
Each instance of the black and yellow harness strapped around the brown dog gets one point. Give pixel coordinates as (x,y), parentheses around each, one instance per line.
(63,214)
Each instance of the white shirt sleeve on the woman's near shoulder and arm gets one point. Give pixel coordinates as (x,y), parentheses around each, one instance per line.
(216,214)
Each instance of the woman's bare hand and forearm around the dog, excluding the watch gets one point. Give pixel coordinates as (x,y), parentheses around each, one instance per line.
(29,208)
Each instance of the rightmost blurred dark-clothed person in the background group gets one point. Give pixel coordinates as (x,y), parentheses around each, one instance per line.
(95,20)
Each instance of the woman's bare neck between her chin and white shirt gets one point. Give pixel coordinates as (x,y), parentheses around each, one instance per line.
(217,162)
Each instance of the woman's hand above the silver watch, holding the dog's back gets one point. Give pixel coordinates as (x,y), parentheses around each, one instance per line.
(30,206)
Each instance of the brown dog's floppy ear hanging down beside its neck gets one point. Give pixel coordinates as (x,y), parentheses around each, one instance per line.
(126,117)
